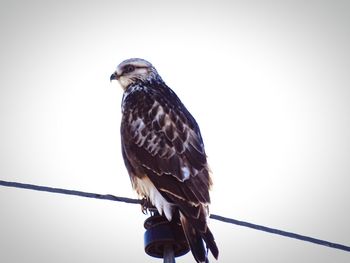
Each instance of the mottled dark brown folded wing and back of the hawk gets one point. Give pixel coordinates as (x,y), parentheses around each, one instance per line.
(160,138)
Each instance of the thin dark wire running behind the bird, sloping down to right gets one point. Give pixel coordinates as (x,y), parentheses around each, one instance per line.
(212,216)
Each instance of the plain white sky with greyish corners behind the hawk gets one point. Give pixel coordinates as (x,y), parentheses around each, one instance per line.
(268,82)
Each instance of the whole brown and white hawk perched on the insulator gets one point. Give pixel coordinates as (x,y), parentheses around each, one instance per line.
(164,152)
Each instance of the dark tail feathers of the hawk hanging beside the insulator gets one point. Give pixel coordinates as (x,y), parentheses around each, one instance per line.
(195,240)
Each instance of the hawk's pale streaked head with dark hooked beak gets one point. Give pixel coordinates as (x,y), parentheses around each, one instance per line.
(134,70)
